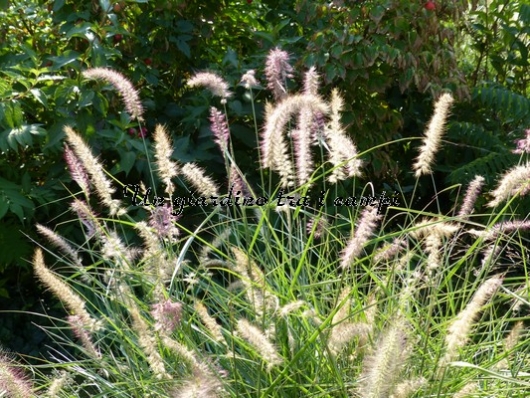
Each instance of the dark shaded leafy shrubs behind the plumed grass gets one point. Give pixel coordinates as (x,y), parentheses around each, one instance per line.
(390,59)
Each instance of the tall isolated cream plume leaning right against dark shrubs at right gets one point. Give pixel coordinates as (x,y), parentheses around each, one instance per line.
(433,135)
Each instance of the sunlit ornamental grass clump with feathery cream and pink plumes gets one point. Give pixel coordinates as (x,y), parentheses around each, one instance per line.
(292,293)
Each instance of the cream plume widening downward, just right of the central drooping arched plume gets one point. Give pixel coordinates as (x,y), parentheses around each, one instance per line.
(342,150)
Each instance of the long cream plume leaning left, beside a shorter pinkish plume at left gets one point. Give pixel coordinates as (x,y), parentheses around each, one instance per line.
(103,186)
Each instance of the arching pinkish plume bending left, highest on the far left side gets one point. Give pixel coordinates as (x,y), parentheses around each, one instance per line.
(124,87)
